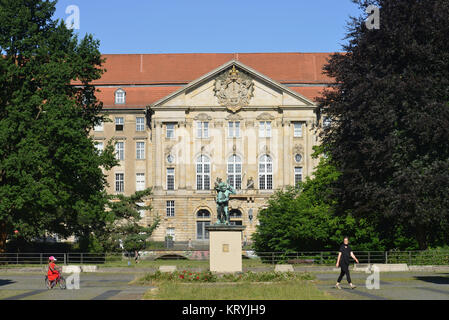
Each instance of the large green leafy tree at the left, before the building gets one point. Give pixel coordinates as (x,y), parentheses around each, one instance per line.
(51,177)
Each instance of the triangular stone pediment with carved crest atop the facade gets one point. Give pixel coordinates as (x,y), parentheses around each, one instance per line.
(234,87)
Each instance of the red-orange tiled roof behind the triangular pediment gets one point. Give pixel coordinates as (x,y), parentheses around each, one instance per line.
(147,78)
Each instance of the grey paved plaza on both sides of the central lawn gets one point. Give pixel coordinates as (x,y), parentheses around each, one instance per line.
(116,286)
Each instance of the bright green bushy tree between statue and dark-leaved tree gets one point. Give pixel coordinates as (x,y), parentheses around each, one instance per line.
(304,219)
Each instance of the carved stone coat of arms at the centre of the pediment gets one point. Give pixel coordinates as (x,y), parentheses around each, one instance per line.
(234,89)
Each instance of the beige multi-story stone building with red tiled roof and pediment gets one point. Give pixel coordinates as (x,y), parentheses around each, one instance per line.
(180,121)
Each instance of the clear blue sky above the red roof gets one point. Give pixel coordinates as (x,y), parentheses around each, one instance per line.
(181,26)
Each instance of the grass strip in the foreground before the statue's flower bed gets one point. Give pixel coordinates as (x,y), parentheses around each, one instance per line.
(292,290)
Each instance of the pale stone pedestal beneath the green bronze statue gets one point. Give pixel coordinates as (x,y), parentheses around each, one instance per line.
(225,245)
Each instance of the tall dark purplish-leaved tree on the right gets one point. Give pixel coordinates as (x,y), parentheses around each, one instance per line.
(389,132)
